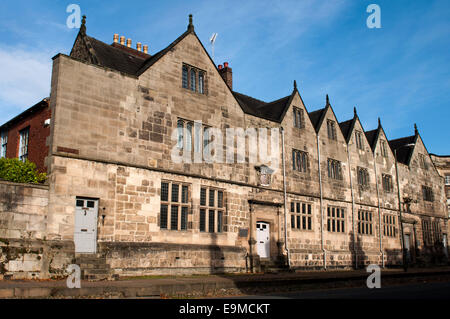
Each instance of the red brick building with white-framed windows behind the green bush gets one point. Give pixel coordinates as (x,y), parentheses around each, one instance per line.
(25,136)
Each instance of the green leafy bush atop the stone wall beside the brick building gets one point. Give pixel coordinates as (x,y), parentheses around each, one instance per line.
(14,170)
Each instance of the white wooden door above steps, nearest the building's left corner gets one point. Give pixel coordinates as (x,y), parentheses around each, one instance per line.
(86,214)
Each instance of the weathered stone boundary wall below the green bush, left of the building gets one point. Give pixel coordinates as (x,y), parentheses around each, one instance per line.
(24,251)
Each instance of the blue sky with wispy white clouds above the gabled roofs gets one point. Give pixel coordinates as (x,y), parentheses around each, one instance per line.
(399,72)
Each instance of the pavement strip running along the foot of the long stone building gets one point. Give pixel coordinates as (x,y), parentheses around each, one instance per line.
(212,285)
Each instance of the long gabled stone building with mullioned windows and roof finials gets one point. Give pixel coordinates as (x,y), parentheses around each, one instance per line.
(328,197)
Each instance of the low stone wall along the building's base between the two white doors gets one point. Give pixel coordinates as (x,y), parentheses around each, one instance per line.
(141,259)
